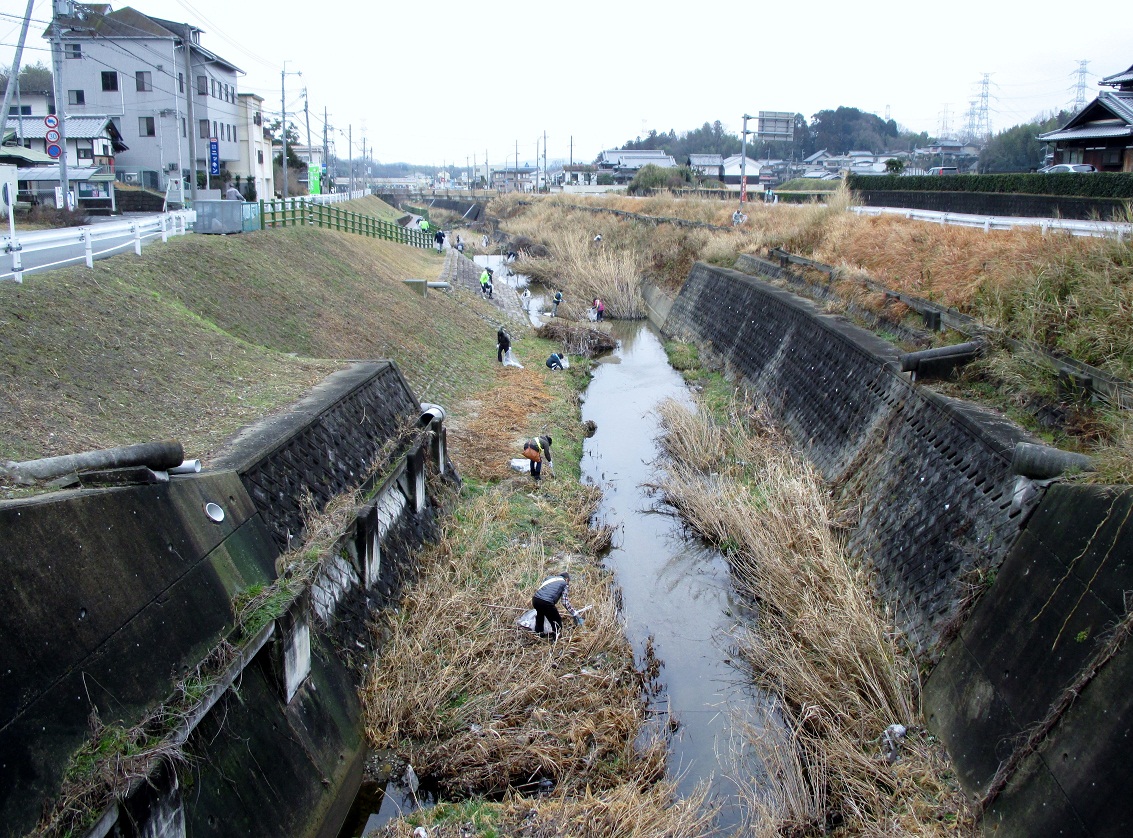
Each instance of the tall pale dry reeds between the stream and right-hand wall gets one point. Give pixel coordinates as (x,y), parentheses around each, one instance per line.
(821,646)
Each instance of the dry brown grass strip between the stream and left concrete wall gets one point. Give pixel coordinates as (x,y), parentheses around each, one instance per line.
(485,711)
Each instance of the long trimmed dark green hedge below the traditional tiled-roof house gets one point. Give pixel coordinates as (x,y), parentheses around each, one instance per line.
(1087,185)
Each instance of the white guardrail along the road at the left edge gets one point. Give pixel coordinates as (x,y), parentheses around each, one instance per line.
(48,250)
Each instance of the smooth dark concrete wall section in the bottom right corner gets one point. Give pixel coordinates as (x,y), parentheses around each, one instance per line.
(1040,683)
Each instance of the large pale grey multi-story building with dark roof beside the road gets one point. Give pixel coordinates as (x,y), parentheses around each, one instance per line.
(159,84)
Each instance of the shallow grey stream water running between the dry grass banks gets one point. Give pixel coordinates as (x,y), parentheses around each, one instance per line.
(675,589)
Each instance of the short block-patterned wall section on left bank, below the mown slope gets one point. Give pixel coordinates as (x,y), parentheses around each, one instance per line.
(323,446)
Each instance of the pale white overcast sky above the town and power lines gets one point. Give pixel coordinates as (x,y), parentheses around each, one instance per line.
(442,82)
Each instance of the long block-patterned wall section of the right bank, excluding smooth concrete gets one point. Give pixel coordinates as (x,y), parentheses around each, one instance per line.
(933,476)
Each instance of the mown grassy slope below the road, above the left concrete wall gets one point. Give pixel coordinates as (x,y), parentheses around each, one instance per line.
(203,336)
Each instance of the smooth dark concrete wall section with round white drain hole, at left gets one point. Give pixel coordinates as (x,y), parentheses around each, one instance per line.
(110,596)
